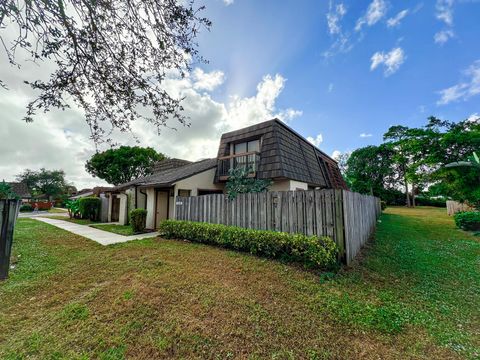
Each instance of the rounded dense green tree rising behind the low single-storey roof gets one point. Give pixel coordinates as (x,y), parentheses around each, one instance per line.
(118,166)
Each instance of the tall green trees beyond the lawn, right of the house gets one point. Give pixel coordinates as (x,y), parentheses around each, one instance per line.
(414,161)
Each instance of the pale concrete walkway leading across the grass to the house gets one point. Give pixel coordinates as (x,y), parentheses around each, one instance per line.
(100,236)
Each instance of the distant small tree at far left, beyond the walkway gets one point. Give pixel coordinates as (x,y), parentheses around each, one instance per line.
(51,183)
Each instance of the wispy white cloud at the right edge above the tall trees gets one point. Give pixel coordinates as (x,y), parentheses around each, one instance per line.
(464,90)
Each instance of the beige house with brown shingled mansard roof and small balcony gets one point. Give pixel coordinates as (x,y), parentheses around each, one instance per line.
(270,150)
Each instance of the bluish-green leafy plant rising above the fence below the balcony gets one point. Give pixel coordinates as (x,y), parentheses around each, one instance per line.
(240,183)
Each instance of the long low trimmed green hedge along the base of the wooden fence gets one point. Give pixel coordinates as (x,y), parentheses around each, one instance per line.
(312,251)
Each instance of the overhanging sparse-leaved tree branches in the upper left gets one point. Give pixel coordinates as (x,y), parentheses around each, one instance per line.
(111,57)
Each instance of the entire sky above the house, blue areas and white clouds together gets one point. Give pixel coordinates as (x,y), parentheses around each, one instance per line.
(333,70)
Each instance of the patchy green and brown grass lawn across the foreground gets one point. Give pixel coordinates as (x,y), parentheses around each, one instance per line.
(414,295)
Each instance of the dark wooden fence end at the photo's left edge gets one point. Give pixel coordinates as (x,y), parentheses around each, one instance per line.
(8,216)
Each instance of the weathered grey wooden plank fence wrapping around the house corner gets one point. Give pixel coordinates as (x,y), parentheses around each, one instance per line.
(347,218)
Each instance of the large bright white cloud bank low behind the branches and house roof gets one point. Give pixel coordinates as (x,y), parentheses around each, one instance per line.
(61,139)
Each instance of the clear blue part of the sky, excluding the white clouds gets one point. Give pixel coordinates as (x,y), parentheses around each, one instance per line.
(339,95)
